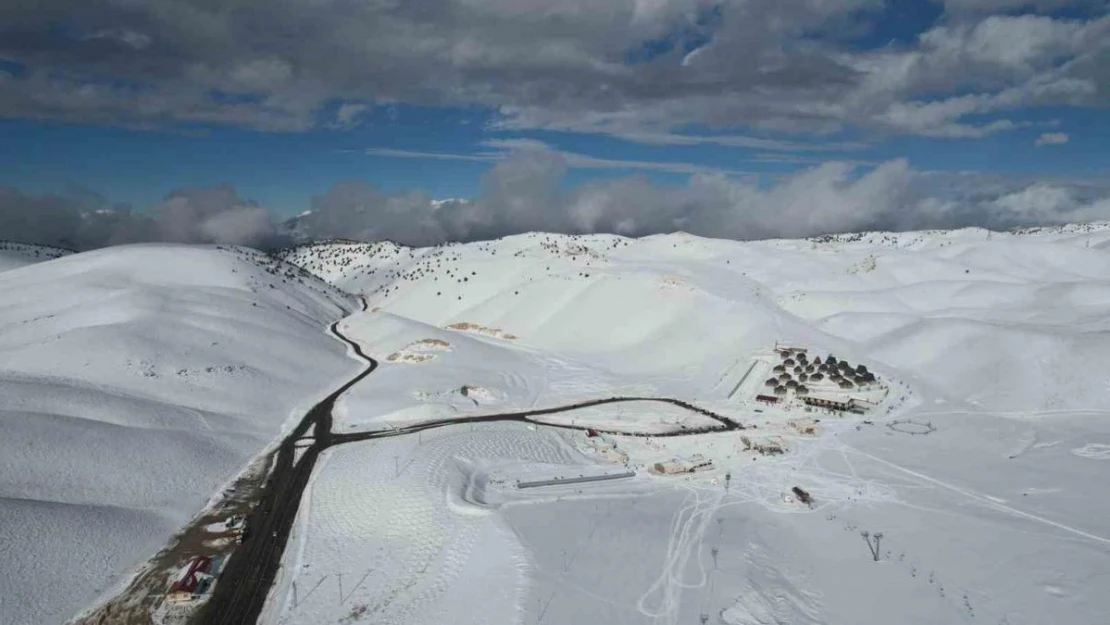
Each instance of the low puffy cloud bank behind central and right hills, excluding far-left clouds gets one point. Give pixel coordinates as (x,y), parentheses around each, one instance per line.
(524,193)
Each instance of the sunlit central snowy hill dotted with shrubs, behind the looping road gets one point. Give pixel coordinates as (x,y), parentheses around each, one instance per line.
(583,296)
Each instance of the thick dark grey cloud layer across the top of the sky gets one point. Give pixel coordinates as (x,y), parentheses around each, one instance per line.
(634,68)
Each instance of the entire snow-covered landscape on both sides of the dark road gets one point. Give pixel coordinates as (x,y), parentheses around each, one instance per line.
(945,390)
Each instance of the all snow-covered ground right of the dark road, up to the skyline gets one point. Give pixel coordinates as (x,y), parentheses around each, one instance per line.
(981,465)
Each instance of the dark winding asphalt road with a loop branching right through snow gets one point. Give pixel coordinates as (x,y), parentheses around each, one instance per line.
(250,571)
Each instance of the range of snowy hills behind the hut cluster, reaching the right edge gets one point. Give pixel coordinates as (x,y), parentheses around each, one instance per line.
(1027,309)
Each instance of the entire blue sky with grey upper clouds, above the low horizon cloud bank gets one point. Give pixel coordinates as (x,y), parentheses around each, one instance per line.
(134,103)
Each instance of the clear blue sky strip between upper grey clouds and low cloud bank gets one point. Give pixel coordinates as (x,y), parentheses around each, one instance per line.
(285,170)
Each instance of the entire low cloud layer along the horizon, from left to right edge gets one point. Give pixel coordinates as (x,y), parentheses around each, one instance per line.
(523,194)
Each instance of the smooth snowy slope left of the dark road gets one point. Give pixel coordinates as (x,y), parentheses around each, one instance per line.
(137,382)
